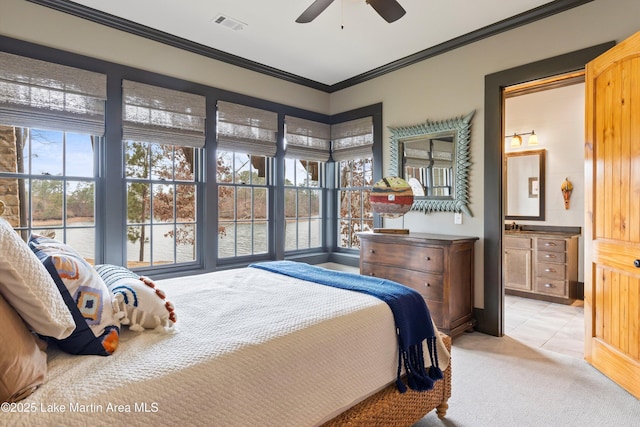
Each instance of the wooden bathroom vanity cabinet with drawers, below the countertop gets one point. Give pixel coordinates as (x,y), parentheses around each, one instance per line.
(541,265)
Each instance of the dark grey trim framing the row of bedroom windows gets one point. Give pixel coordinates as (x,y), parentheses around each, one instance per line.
(110,187)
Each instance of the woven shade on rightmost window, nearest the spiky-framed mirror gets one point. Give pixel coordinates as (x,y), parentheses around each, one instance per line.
(352,140)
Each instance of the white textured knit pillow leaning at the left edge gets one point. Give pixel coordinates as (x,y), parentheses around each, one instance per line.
(29,289)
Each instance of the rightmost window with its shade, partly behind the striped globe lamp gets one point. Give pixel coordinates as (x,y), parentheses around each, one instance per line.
(352,150)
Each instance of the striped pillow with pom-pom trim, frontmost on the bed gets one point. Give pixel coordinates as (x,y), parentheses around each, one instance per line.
(145,305)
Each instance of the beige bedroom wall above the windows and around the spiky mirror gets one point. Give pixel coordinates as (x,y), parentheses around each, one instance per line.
(448,85)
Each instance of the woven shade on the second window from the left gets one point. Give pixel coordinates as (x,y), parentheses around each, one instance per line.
(166,116)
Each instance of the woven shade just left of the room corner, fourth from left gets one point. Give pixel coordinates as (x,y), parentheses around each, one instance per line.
(307,139)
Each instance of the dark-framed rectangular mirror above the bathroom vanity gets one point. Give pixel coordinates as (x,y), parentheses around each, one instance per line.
(524,195)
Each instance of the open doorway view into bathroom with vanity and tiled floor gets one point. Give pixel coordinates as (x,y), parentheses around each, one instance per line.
(544,122)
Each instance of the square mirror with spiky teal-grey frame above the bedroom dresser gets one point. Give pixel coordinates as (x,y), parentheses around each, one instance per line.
(434,158)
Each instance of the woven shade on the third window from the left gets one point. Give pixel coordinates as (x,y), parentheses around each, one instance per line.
(247,129)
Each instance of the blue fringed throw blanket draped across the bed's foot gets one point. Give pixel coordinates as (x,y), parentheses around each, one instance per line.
(410,312)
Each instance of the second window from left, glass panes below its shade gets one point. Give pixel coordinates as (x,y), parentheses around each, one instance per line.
(161,204)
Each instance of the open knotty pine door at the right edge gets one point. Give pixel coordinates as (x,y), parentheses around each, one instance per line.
(612,214)
